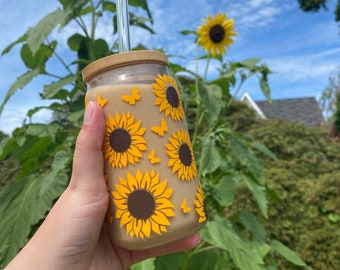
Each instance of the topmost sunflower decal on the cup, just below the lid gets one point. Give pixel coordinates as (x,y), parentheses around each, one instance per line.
(168,97)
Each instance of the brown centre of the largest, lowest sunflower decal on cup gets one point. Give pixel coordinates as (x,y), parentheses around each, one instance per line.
(141,204)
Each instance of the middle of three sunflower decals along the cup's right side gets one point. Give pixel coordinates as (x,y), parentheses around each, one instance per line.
(181,157)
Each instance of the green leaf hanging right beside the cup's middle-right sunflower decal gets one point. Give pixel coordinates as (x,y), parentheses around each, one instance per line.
(210,156)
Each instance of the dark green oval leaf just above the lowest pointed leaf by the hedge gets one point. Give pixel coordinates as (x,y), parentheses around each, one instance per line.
(252,225)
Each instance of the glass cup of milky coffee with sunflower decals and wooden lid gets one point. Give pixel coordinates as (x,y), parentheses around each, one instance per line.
(155,194)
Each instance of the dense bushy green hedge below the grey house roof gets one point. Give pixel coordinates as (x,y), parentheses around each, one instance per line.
(303,184)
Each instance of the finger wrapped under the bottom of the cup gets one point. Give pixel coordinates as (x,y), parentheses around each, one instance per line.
(182,245)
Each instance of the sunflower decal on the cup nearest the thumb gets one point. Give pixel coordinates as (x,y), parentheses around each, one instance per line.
(123,142)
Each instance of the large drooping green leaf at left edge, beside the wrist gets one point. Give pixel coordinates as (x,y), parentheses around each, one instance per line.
(24,203)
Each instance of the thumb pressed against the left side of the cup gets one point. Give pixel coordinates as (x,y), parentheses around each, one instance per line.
(88,164)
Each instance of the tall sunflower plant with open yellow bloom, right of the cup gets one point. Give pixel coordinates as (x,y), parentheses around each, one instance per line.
(226,159)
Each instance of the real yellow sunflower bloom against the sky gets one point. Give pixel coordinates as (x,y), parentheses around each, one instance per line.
(216,34)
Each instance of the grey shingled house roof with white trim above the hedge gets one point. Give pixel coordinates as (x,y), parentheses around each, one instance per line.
(303,110)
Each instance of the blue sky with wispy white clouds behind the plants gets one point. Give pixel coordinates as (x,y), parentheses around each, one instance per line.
(302,49)
